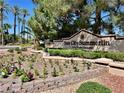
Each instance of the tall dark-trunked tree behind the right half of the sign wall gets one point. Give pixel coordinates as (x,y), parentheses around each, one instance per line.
(96,15)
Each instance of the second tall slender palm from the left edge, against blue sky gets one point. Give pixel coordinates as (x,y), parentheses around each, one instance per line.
(15,11)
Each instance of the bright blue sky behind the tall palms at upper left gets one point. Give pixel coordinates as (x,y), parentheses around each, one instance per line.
(26,4)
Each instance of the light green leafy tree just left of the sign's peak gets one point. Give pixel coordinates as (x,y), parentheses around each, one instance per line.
(45,19)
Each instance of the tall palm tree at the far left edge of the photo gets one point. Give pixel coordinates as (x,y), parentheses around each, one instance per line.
(3,8)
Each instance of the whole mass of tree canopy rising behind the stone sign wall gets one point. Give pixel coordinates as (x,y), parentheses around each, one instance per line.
(61,18)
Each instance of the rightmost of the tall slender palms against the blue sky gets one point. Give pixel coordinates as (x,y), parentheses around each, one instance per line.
(24,13)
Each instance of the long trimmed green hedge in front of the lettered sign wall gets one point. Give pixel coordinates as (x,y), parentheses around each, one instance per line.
(116,56)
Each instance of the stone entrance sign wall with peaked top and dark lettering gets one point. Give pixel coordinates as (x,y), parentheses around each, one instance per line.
(103,43)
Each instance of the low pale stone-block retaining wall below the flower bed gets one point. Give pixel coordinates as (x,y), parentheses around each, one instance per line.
(37,86)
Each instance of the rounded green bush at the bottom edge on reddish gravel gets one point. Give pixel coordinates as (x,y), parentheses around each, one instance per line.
(93,87)
